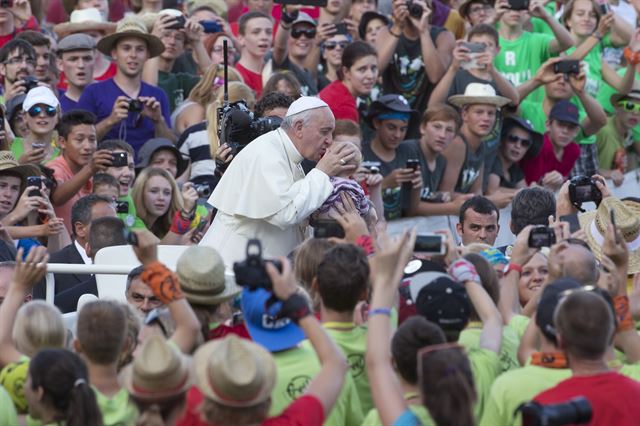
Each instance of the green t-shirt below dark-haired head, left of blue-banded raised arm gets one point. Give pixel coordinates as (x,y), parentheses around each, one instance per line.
(353,342)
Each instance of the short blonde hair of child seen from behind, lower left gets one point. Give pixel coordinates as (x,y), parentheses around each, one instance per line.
(38,325)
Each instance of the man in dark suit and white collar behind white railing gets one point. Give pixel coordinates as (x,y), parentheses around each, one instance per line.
(83,212)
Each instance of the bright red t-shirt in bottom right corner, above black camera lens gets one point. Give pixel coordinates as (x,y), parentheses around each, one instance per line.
(612,396)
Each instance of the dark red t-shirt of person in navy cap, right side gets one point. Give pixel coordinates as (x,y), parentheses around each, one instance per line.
(535,168)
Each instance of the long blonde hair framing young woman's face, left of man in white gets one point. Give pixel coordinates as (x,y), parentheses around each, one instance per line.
(162,224)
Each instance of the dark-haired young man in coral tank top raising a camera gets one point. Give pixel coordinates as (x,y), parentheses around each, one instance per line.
(78,163)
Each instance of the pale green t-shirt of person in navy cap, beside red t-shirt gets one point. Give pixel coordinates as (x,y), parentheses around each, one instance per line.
(515,387)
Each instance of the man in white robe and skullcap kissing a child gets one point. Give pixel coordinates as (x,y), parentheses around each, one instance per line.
(264,192)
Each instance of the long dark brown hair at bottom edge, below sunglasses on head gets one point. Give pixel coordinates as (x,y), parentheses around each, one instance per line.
(446,385)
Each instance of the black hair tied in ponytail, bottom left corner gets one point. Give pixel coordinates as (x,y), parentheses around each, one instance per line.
(65,381)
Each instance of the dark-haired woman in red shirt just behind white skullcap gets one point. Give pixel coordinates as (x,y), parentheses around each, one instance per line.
(357,77)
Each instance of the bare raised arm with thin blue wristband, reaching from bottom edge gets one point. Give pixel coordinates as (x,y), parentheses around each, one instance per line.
(386,271)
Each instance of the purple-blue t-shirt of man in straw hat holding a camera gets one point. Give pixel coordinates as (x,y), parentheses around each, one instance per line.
(136,129)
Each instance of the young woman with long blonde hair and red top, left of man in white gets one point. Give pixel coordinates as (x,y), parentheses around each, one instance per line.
(167,213)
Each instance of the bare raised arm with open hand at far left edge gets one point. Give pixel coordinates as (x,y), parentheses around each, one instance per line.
(25,275)
